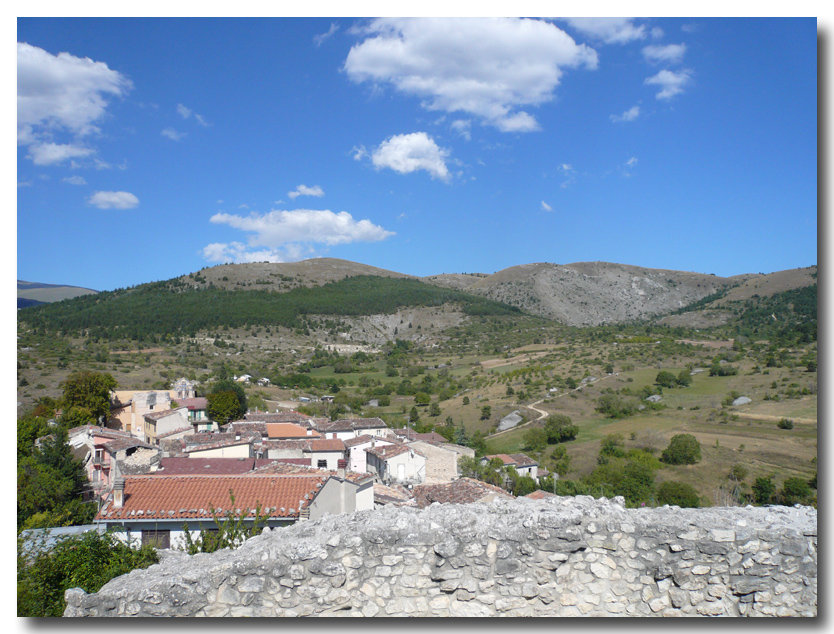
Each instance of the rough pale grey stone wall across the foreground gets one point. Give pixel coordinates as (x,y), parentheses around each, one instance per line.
(559,557)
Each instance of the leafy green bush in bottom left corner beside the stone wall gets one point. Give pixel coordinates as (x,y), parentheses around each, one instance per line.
(86,562)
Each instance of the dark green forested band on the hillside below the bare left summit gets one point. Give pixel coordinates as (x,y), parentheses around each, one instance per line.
(174,308)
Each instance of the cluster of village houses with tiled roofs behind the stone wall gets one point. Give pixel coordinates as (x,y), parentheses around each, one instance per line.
(161,467)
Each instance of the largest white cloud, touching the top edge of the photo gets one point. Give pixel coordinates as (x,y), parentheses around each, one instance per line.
(487,67)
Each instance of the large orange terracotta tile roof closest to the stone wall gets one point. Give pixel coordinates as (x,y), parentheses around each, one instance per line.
(160,497)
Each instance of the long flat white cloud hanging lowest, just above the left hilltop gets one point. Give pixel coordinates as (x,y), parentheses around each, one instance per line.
(281,236)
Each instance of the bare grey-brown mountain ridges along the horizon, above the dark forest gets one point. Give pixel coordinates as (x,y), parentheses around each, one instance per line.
(578,294)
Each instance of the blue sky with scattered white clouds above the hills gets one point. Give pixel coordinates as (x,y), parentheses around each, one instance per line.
(150,148)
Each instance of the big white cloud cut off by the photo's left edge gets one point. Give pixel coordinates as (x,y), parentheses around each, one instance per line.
(61,94)
